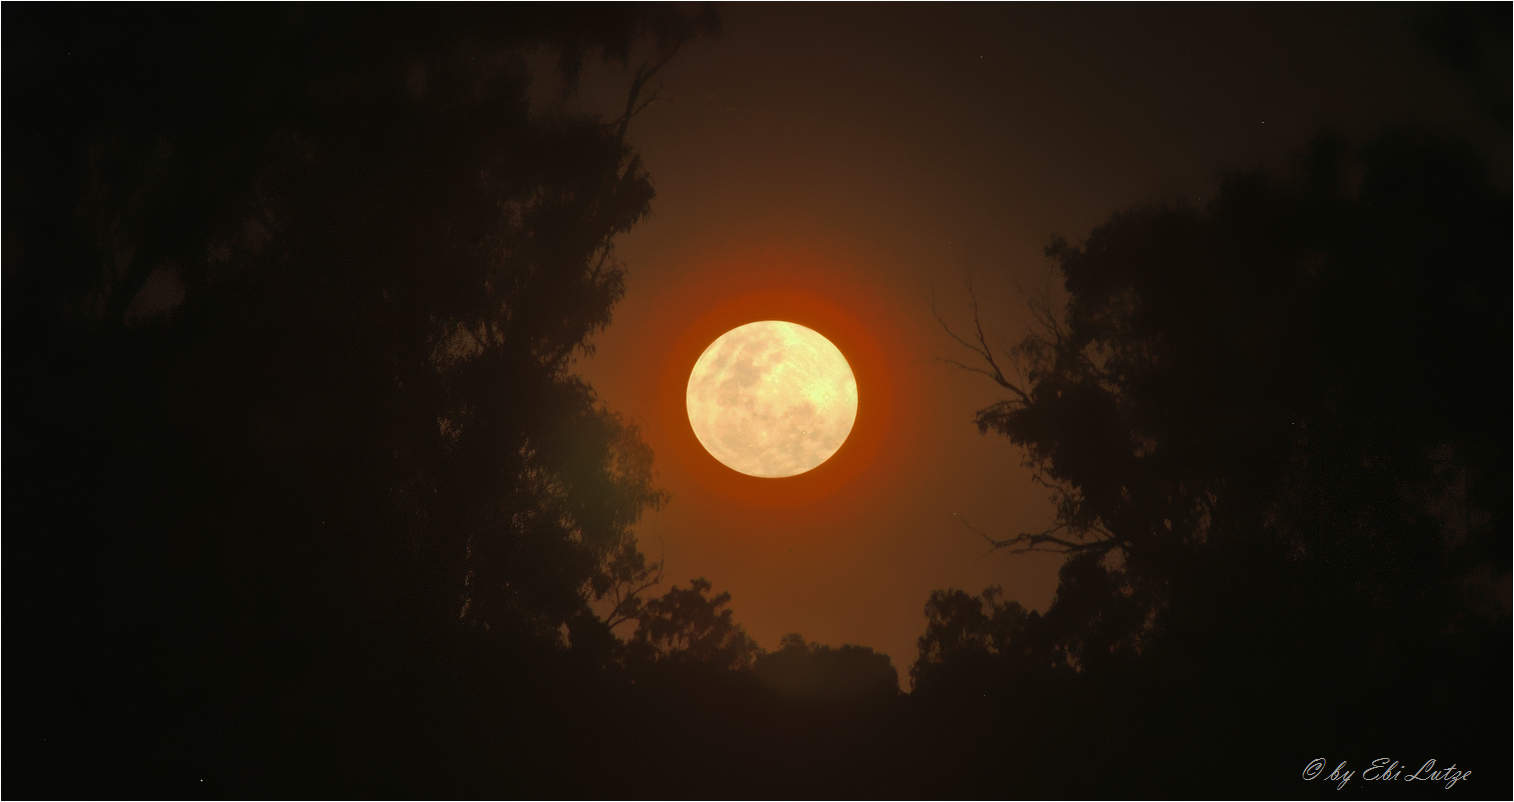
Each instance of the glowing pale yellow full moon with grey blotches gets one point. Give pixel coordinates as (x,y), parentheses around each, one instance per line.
(771,399)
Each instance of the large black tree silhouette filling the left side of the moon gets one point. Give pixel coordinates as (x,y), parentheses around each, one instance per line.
(293,303)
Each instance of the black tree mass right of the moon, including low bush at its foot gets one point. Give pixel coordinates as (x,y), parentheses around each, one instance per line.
(1265,426)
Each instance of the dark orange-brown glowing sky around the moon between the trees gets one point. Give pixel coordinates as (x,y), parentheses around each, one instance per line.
(832,166)
